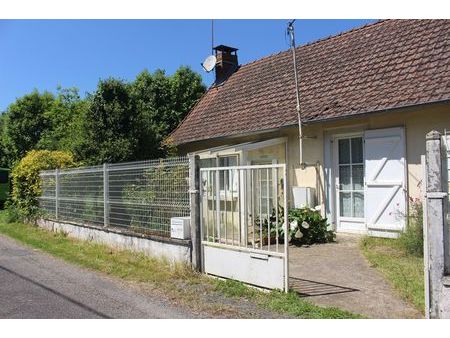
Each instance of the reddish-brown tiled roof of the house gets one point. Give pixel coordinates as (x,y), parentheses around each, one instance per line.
(384,65)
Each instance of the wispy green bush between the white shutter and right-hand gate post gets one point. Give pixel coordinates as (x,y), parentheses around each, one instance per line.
(412,238)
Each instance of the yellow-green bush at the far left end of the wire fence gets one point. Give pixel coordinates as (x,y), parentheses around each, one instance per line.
(26,187)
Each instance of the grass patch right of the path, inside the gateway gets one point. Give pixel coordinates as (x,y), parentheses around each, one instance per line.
(403,270)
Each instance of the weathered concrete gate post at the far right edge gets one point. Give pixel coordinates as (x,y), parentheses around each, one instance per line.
(436,227)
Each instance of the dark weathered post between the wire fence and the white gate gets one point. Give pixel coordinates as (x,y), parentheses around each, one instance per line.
(194,191)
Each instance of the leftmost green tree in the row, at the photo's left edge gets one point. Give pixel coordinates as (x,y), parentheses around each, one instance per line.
(24,123)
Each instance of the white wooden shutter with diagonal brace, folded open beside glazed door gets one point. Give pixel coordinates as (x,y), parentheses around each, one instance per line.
(385,189)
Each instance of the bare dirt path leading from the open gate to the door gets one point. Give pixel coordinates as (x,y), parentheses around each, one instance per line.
(337,274)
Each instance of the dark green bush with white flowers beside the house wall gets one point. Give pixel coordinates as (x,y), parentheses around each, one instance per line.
(306,226)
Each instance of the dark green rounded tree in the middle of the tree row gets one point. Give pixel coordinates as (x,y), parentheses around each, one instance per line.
(110,125)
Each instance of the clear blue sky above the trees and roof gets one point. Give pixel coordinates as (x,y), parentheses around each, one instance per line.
(43,54)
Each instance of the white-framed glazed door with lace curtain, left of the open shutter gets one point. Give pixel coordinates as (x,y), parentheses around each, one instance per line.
(349,177)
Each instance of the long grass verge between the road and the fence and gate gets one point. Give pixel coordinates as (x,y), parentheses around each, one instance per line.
(177,282)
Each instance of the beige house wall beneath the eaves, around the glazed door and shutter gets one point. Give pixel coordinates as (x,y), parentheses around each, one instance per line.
(416,121)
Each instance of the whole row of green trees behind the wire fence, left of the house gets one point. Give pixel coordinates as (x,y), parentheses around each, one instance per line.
(120,121)
